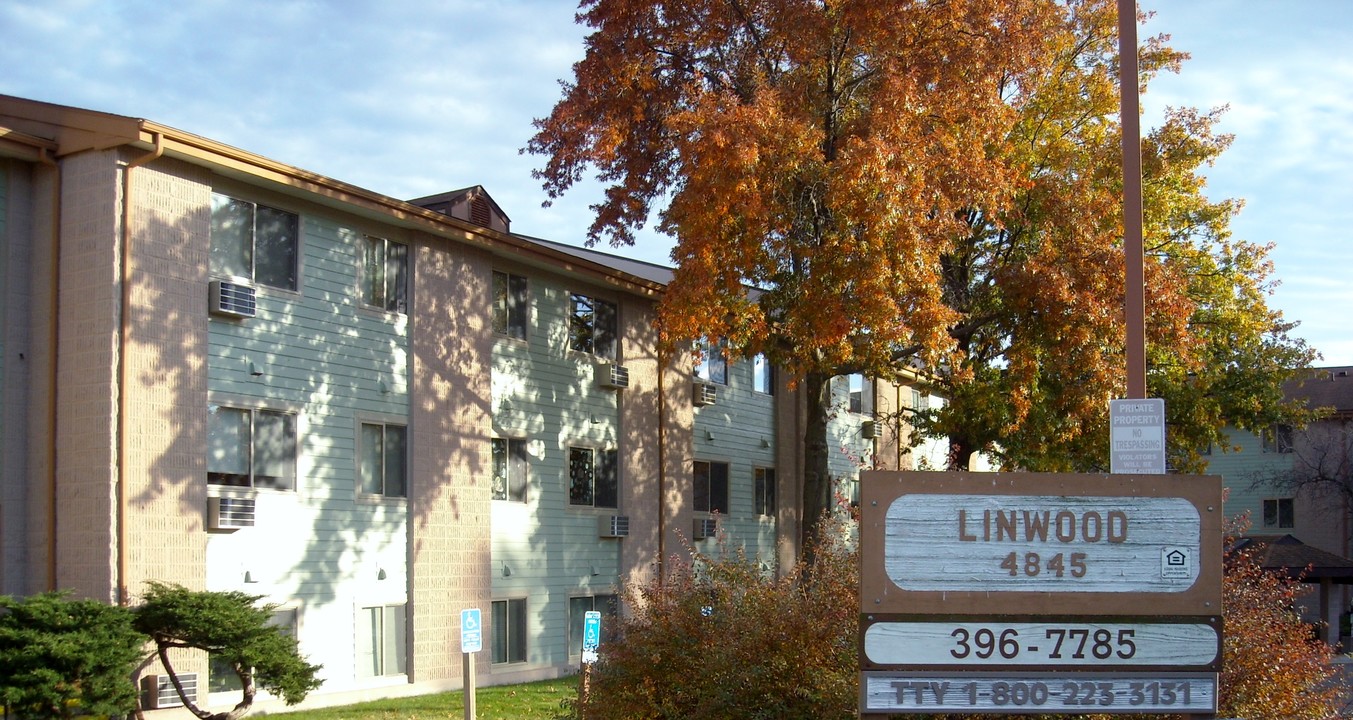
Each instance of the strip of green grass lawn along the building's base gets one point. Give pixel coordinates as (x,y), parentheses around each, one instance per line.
(530,702)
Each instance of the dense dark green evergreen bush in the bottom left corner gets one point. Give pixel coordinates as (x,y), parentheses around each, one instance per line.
(62,657)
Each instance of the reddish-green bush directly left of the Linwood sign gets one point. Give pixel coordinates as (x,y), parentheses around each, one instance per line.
(720,638)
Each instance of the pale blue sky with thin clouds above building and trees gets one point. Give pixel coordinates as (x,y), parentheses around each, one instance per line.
(412,98)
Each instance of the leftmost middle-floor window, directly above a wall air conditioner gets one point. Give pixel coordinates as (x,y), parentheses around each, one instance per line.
(252,449)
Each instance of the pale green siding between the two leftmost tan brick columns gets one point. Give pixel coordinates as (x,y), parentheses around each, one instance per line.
(323,354)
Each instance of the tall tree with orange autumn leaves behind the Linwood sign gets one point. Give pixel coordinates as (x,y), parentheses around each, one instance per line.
(915,183)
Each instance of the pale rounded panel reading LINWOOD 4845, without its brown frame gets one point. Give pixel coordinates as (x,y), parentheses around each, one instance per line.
(1042,543)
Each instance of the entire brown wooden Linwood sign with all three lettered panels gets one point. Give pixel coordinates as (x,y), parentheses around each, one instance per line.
(1040,593)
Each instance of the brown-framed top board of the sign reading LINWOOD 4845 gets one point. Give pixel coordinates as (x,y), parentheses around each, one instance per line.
(1014,543)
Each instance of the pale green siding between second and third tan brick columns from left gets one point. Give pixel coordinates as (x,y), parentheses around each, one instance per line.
(543,392)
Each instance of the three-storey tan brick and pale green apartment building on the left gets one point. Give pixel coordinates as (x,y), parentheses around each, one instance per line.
(232,374)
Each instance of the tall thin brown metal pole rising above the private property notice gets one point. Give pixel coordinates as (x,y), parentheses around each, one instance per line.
(1134,297)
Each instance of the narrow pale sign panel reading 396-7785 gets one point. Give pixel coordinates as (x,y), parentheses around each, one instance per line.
(1049,644)
